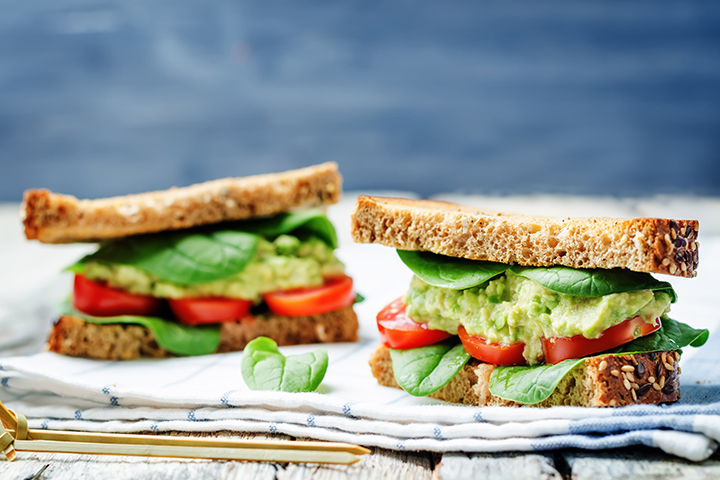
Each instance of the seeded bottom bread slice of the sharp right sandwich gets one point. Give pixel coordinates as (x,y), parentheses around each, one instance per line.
(599,381)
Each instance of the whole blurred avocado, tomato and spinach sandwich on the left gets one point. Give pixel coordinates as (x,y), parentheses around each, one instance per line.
(200,269)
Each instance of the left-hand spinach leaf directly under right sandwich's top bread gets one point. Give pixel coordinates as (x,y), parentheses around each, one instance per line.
(450,272)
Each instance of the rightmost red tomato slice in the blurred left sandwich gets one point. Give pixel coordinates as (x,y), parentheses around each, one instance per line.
(337,293)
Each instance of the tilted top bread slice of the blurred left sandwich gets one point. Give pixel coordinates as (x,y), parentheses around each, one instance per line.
(55,218)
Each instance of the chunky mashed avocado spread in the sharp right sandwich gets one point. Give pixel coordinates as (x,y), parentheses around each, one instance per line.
(511,308)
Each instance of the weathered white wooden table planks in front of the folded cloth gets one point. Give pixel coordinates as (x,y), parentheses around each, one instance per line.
(636,463)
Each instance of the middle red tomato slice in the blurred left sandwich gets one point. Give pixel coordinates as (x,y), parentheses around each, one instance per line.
(193,311)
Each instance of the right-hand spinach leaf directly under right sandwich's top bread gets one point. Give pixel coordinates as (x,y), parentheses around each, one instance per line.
(592,282)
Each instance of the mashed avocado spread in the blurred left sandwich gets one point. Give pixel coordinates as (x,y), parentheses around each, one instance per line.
(281,264)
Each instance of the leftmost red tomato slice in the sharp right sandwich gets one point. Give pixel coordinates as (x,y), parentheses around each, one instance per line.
(402,332)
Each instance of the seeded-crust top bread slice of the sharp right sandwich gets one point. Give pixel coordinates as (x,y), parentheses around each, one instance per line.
(652,245)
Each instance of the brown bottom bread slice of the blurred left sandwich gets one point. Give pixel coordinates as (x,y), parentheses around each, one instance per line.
(73,336)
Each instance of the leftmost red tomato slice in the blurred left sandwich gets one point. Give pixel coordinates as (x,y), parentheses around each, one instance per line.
(99,300)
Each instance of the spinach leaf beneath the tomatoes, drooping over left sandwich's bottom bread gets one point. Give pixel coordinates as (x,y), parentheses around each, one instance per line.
(173,337)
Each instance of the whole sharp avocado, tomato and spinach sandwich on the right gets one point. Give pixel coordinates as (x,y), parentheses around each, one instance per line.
(508,309)
